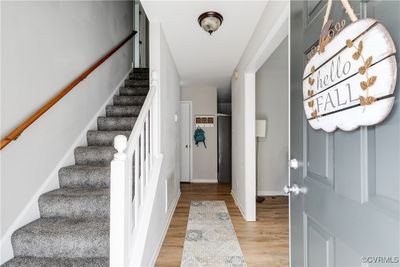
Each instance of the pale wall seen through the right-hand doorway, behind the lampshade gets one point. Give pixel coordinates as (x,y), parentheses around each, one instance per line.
(272,105)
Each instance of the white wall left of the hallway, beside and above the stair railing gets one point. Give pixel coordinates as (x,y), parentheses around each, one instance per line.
(168,188)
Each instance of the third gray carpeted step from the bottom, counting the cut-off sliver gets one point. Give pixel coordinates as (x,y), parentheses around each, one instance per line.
(75,203)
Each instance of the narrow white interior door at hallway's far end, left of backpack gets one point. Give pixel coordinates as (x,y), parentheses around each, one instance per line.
(186,136)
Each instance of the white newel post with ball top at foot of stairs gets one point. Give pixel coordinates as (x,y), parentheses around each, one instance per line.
(118,206)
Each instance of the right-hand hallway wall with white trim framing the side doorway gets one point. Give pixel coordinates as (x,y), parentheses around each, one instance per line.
(271,29)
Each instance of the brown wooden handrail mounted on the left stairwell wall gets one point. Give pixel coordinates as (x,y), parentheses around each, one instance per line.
(18,130)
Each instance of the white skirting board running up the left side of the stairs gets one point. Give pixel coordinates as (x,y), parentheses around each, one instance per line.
(31,210)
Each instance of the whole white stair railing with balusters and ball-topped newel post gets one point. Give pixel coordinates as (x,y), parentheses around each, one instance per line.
(131,174)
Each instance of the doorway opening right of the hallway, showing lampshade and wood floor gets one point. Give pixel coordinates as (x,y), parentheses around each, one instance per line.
(272,148)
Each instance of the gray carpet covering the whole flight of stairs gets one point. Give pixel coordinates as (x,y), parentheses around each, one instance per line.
(73,228)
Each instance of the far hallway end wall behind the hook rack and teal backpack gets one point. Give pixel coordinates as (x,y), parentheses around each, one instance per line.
(204,102)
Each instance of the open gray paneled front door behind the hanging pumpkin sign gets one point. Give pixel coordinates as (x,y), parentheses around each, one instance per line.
(351,209)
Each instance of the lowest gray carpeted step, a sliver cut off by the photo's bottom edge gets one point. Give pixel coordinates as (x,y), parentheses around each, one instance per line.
(57,262)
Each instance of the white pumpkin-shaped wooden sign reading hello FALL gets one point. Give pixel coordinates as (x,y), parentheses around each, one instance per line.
(351,81)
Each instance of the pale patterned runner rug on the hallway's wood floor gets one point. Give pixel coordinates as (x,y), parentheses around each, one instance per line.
(210,237)
